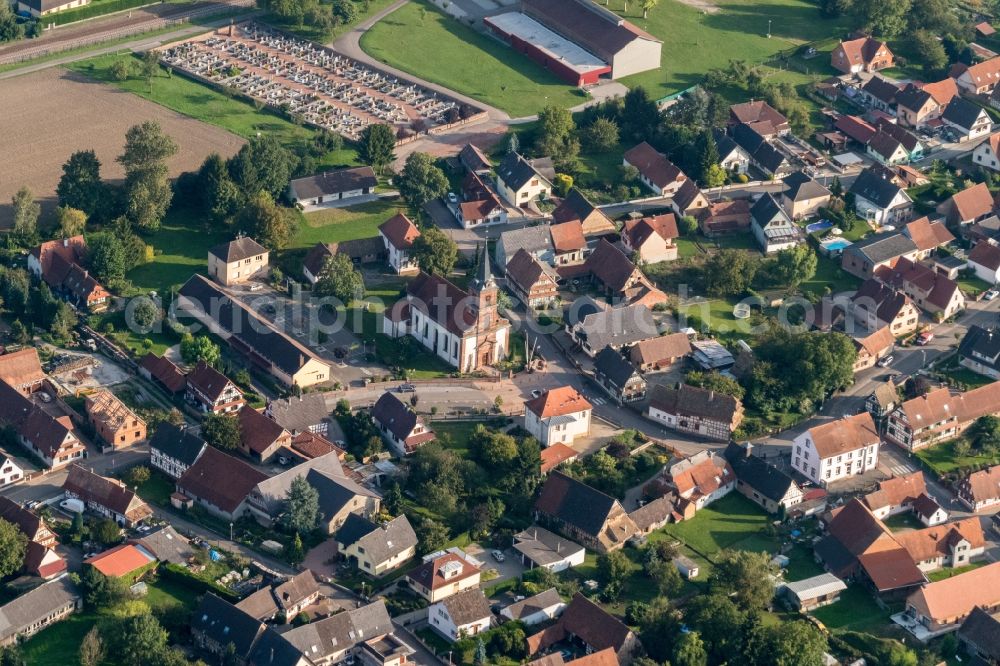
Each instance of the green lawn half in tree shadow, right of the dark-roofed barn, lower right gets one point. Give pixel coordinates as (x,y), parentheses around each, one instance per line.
(731,522)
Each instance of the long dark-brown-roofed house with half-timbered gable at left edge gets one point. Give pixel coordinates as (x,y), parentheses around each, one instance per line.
(51,439)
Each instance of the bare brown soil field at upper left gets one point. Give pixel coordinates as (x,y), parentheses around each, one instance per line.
(53,113)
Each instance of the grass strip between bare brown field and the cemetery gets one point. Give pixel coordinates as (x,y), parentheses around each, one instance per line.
(207,104)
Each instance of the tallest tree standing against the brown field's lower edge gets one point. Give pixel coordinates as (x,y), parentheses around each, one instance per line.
(147,188)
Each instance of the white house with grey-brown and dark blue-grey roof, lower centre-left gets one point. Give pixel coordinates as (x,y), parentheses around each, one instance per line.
(376,548)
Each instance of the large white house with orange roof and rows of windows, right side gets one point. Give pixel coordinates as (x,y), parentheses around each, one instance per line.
(837,450)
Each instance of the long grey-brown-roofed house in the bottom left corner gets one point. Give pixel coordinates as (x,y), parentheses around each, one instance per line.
(33,611)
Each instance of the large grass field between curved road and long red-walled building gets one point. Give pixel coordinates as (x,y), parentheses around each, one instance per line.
(455,56)
